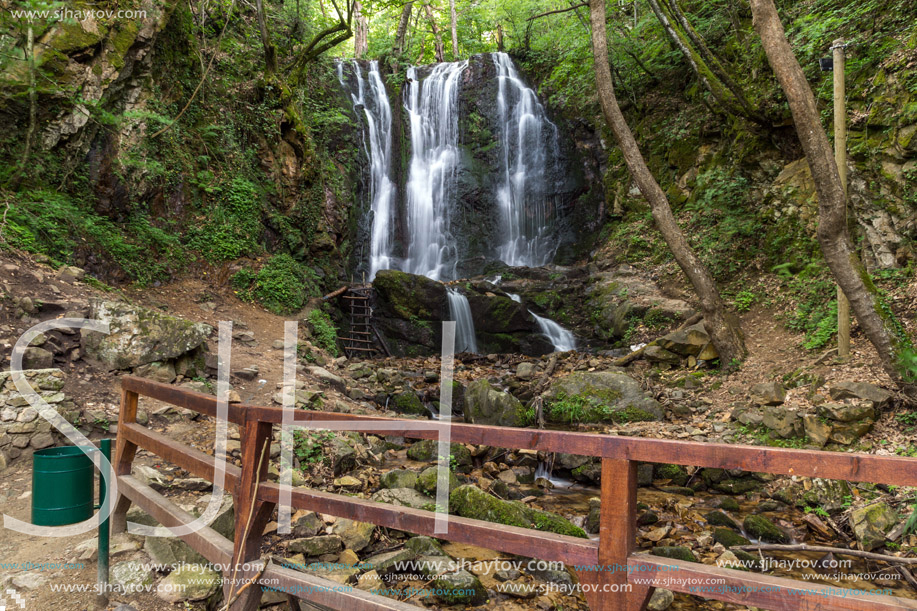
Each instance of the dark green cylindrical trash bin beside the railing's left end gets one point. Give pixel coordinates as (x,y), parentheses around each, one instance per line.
(62,485)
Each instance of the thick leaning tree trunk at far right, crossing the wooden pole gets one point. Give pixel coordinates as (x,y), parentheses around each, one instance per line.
(876,320)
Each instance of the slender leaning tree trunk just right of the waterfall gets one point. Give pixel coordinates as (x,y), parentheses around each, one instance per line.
(722,326)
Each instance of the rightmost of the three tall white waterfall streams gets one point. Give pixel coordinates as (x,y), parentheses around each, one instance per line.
(529,146)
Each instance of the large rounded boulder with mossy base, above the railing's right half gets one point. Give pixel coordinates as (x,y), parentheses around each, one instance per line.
(599,397)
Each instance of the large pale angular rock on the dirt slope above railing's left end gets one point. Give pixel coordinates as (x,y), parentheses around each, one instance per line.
(139,335)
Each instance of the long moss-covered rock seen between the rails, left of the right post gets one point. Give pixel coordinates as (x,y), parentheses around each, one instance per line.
(471,502)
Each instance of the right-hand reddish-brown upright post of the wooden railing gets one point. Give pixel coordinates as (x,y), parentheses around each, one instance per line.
(607,588)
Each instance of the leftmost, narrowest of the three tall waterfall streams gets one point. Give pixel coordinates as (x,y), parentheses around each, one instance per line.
(378,150)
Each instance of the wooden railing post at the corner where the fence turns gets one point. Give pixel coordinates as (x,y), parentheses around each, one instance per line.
(251,516)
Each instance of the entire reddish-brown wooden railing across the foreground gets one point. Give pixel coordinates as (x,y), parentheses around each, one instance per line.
(612,574)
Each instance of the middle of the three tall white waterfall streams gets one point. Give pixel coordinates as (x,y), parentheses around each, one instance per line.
(432,105)
